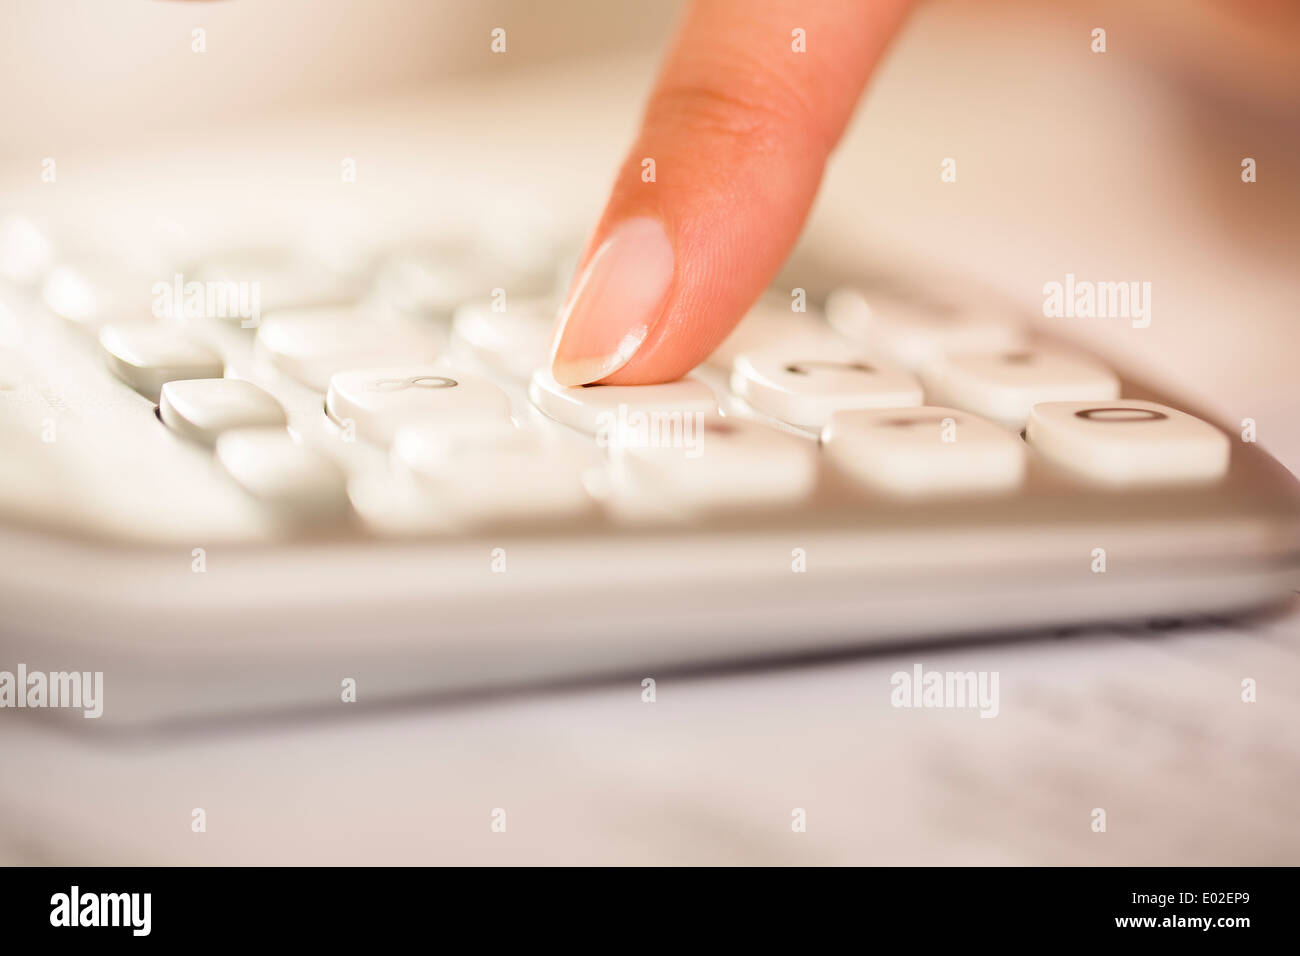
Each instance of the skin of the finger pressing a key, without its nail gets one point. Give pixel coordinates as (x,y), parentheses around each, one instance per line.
(739,127)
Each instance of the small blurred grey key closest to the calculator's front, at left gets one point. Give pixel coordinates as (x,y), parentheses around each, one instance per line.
(278,470)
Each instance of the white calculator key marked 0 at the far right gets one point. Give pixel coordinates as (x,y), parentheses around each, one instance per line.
(1128,442)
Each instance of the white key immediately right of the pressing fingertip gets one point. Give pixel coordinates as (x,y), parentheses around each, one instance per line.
(805,386)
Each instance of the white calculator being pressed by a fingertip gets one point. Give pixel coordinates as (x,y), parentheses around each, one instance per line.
(369,475)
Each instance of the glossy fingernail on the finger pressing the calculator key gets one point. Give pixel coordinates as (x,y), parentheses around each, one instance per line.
(616,304)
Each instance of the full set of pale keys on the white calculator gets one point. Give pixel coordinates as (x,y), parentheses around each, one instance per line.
(899,399)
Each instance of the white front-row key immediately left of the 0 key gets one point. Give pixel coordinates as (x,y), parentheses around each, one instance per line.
(925,451)
